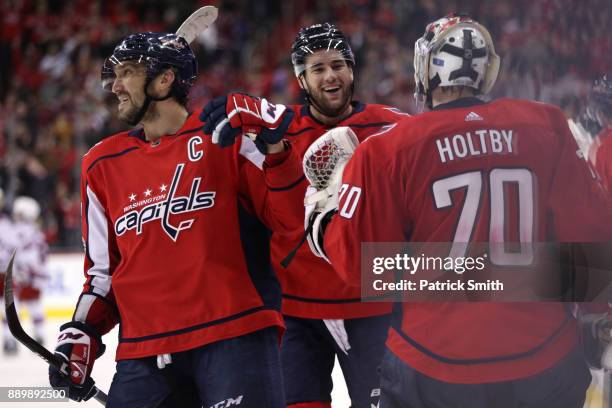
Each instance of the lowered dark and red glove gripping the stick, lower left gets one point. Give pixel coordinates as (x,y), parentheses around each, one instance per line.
(78,345)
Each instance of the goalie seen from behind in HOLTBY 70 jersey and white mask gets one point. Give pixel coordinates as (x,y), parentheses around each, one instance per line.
(462,173)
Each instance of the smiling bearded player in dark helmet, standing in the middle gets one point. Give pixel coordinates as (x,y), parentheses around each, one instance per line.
(324,317)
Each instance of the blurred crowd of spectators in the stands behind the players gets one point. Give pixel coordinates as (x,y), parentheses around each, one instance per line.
(52,106)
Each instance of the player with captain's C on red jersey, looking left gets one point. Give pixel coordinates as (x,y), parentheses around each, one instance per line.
(177,249)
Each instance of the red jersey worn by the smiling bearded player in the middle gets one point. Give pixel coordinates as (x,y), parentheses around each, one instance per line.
(310,287)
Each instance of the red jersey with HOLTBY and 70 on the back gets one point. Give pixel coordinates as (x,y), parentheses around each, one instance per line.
(448,176)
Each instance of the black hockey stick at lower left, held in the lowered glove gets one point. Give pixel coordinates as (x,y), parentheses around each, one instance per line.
(17,331)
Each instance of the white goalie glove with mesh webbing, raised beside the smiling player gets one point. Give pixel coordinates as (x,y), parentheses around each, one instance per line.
(324,163)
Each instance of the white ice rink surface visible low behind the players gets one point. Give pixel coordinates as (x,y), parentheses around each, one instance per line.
(25,369)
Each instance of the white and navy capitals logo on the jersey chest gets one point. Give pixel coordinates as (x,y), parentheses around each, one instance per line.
(196,200)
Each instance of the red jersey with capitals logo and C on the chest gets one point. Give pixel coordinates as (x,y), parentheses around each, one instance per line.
(174,251)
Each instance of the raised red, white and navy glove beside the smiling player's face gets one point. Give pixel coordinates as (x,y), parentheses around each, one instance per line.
(230,116)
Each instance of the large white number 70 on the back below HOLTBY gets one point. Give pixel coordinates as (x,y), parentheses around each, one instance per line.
(473,181)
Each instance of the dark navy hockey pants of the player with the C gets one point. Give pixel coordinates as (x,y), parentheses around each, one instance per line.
(243,372)
